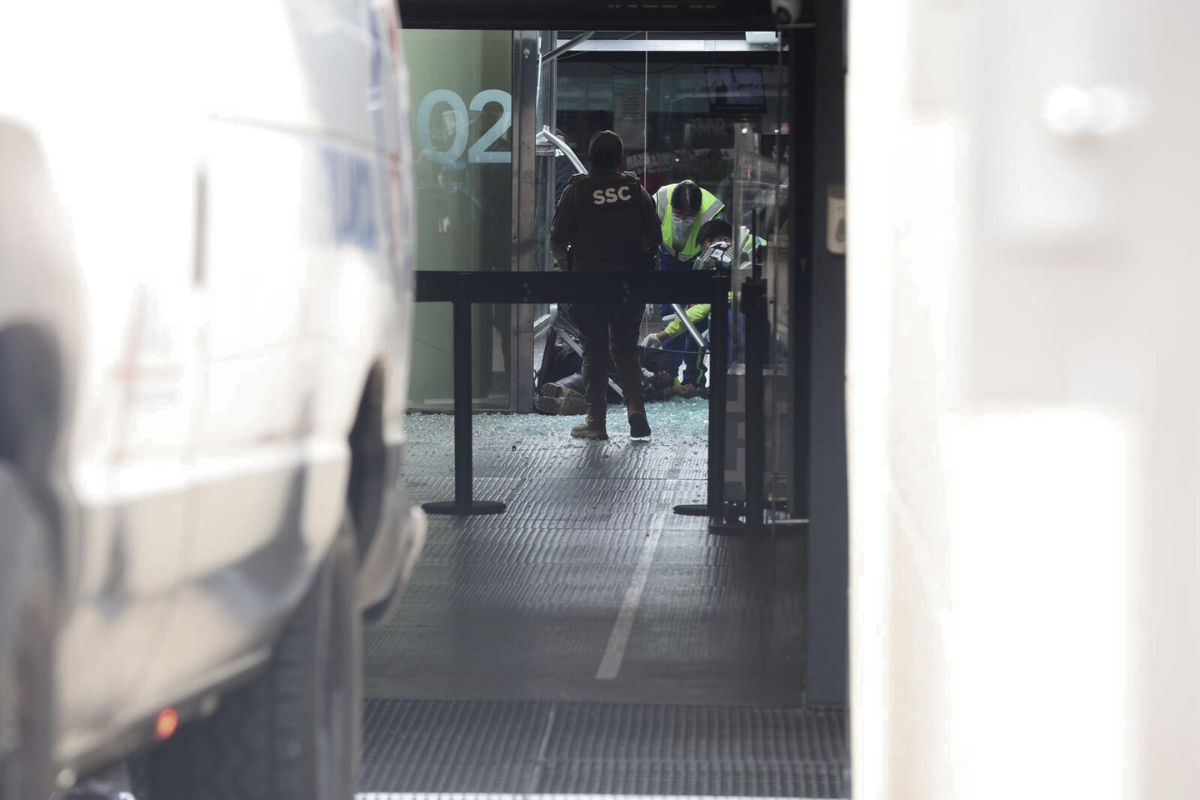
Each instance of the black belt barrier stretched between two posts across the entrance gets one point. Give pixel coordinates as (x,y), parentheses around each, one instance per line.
(607,288)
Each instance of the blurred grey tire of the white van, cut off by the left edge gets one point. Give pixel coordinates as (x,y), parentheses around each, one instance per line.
(27,646)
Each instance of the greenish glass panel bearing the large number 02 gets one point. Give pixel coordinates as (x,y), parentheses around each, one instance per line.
(461,97)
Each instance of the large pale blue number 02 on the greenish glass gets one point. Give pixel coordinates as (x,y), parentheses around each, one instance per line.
(448,128)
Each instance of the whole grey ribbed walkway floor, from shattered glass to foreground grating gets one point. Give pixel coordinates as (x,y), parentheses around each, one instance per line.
(493,679)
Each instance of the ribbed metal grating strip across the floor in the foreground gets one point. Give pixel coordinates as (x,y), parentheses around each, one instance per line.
(607,749)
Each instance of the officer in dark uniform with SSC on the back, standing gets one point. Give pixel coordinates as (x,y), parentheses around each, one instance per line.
(605,222)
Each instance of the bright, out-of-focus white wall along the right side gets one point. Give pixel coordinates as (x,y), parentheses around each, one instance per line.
(1024,399)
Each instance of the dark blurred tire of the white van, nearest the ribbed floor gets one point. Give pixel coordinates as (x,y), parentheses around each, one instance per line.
(296,731)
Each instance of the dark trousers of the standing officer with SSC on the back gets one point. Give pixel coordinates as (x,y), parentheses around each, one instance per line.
(604,329)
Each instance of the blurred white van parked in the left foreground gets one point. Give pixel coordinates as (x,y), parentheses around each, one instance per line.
(206,291)
